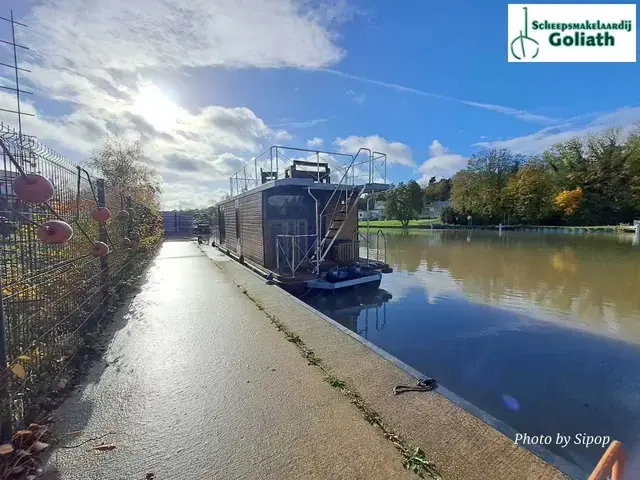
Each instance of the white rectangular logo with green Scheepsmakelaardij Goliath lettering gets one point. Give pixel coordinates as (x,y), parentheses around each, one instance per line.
(572,33)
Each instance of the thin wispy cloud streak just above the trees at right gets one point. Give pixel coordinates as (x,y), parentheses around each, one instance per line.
(545,138)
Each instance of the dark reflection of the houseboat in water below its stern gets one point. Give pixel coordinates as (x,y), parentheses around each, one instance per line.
(357,310)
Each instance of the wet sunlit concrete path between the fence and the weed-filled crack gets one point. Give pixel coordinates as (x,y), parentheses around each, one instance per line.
(197,384)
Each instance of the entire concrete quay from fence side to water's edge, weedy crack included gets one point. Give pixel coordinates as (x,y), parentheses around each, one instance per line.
(250,382)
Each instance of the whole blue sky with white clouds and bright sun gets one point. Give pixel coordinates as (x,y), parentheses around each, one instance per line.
(208,84)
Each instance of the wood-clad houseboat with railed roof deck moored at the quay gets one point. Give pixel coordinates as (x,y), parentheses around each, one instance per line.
(293,216)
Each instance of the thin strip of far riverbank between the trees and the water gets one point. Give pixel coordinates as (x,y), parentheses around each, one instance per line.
(432,224)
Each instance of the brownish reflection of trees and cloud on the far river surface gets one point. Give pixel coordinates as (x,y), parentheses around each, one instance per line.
(587,281)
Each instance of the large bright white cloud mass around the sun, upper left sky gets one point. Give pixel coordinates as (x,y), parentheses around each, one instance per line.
(94,72)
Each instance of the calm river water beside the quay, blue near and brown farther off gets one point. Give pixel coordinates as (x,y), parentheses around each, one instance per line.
(542,331)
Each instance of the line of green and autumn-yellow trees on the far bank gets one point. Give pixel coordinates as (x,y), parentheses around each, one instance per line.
(593,180)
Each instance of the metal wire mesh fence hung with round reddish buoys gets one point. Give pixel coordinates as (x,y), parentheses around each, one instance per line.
(53,295)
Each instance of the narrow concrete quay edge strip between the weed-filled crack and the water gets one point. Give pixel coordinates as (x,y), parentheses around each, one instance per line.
(462,445)
